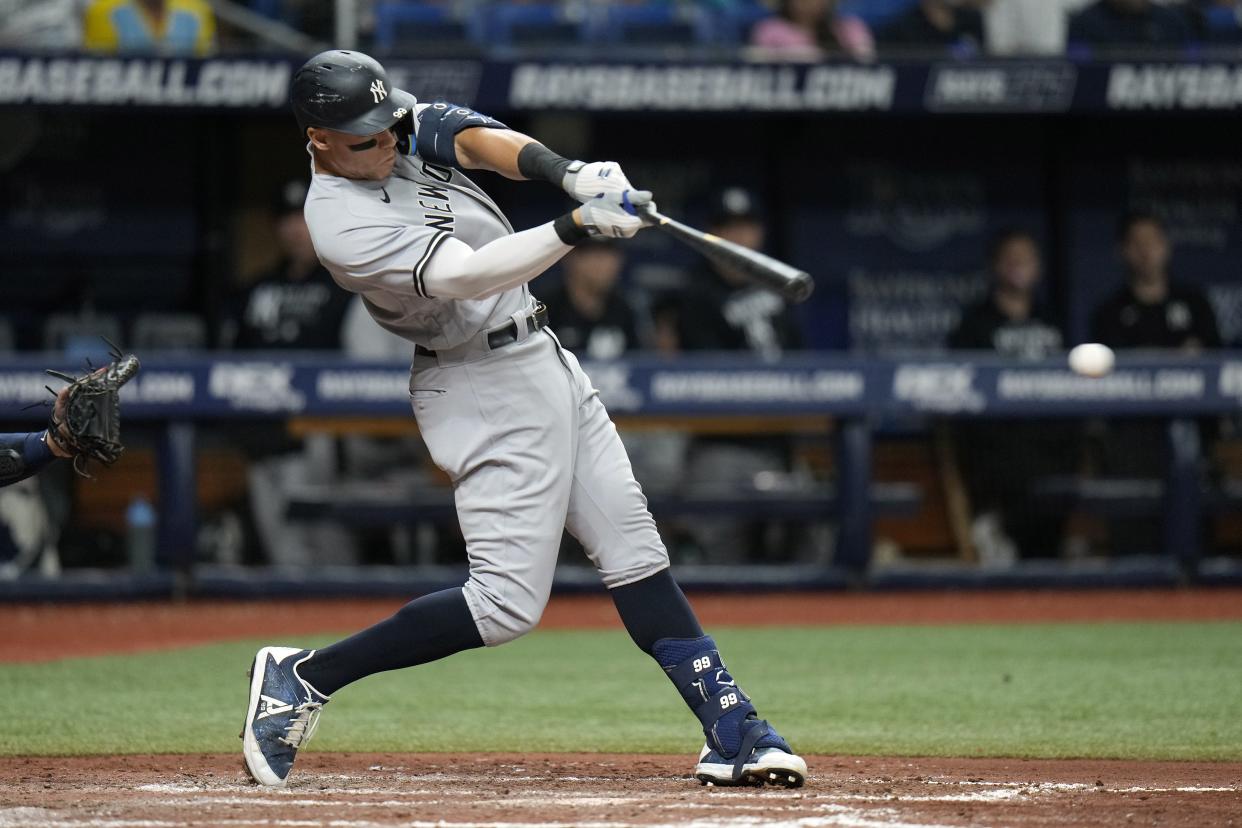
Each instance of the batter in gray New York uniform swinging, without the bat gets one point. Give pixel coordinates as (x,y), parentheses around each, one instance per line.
(505,410)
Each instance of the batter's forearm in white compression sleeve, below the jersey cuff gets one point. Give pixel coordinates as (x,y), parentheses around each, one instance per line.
(458,272)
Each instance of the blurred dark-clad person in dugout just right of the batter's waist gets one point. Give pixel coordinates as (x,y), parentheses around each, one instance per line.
(589,315)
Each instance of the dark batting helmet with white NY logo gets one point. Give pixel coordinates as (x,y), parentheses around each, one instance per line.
(348,92)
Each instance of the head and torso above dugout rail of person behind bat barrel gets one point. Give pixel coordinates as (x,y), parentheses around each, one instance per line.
(721,310)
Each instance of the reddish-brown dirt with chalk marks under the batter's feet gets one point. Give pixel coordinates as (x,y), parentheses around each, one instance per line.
(609,791)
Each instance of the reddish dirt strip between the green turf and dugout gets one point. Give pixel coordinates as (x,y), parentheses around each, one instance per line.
(44,632)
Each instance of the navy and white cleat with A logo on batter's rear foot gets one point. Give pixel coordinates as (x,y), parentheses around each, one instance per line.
(283,714)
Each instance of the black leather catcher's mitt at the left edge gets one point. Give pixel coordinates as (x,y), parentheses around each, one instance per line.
(86,418)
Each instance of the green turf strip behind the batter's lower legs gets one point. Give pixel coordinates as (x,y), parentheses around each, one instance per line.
(1135,691)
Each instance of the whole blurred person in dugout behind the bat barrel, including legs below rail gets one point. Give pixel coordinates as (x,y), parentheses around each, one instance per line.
(721,312)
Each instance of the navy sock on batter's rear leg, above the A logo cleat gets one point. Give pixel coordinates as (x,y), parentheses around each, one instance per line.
(423,631)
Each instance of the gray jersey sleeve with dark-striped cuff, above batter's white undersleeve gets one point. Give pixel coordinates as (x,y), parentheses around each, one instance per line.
(377,256)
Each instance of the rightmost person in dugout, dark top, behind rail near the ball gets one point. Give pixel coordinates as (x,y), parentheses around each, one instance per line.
(1148,312)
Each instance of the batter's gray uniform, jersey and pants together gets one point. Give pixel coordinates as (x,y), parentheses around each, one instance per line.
(520,430)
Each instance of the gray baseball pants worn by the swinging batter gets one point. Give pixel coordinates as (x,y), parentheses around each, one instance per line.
(531,451)
